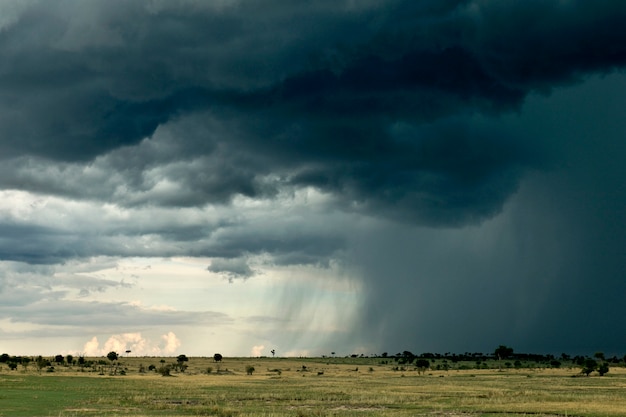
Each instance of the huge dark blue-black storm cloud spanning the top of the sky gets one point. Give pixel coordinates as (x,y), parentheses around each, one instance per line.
(354,99)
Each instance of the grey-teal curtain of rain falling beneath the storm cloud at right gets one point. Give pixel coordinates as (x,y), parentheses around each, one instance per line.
(547,274)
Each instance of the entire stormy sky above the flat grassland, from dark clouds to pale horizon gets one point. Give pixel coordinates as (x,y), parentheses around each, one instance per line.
(358,177)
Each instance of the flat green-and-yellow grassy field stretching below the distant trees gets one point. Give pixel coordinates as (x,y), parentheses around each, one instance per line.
(327,387)
